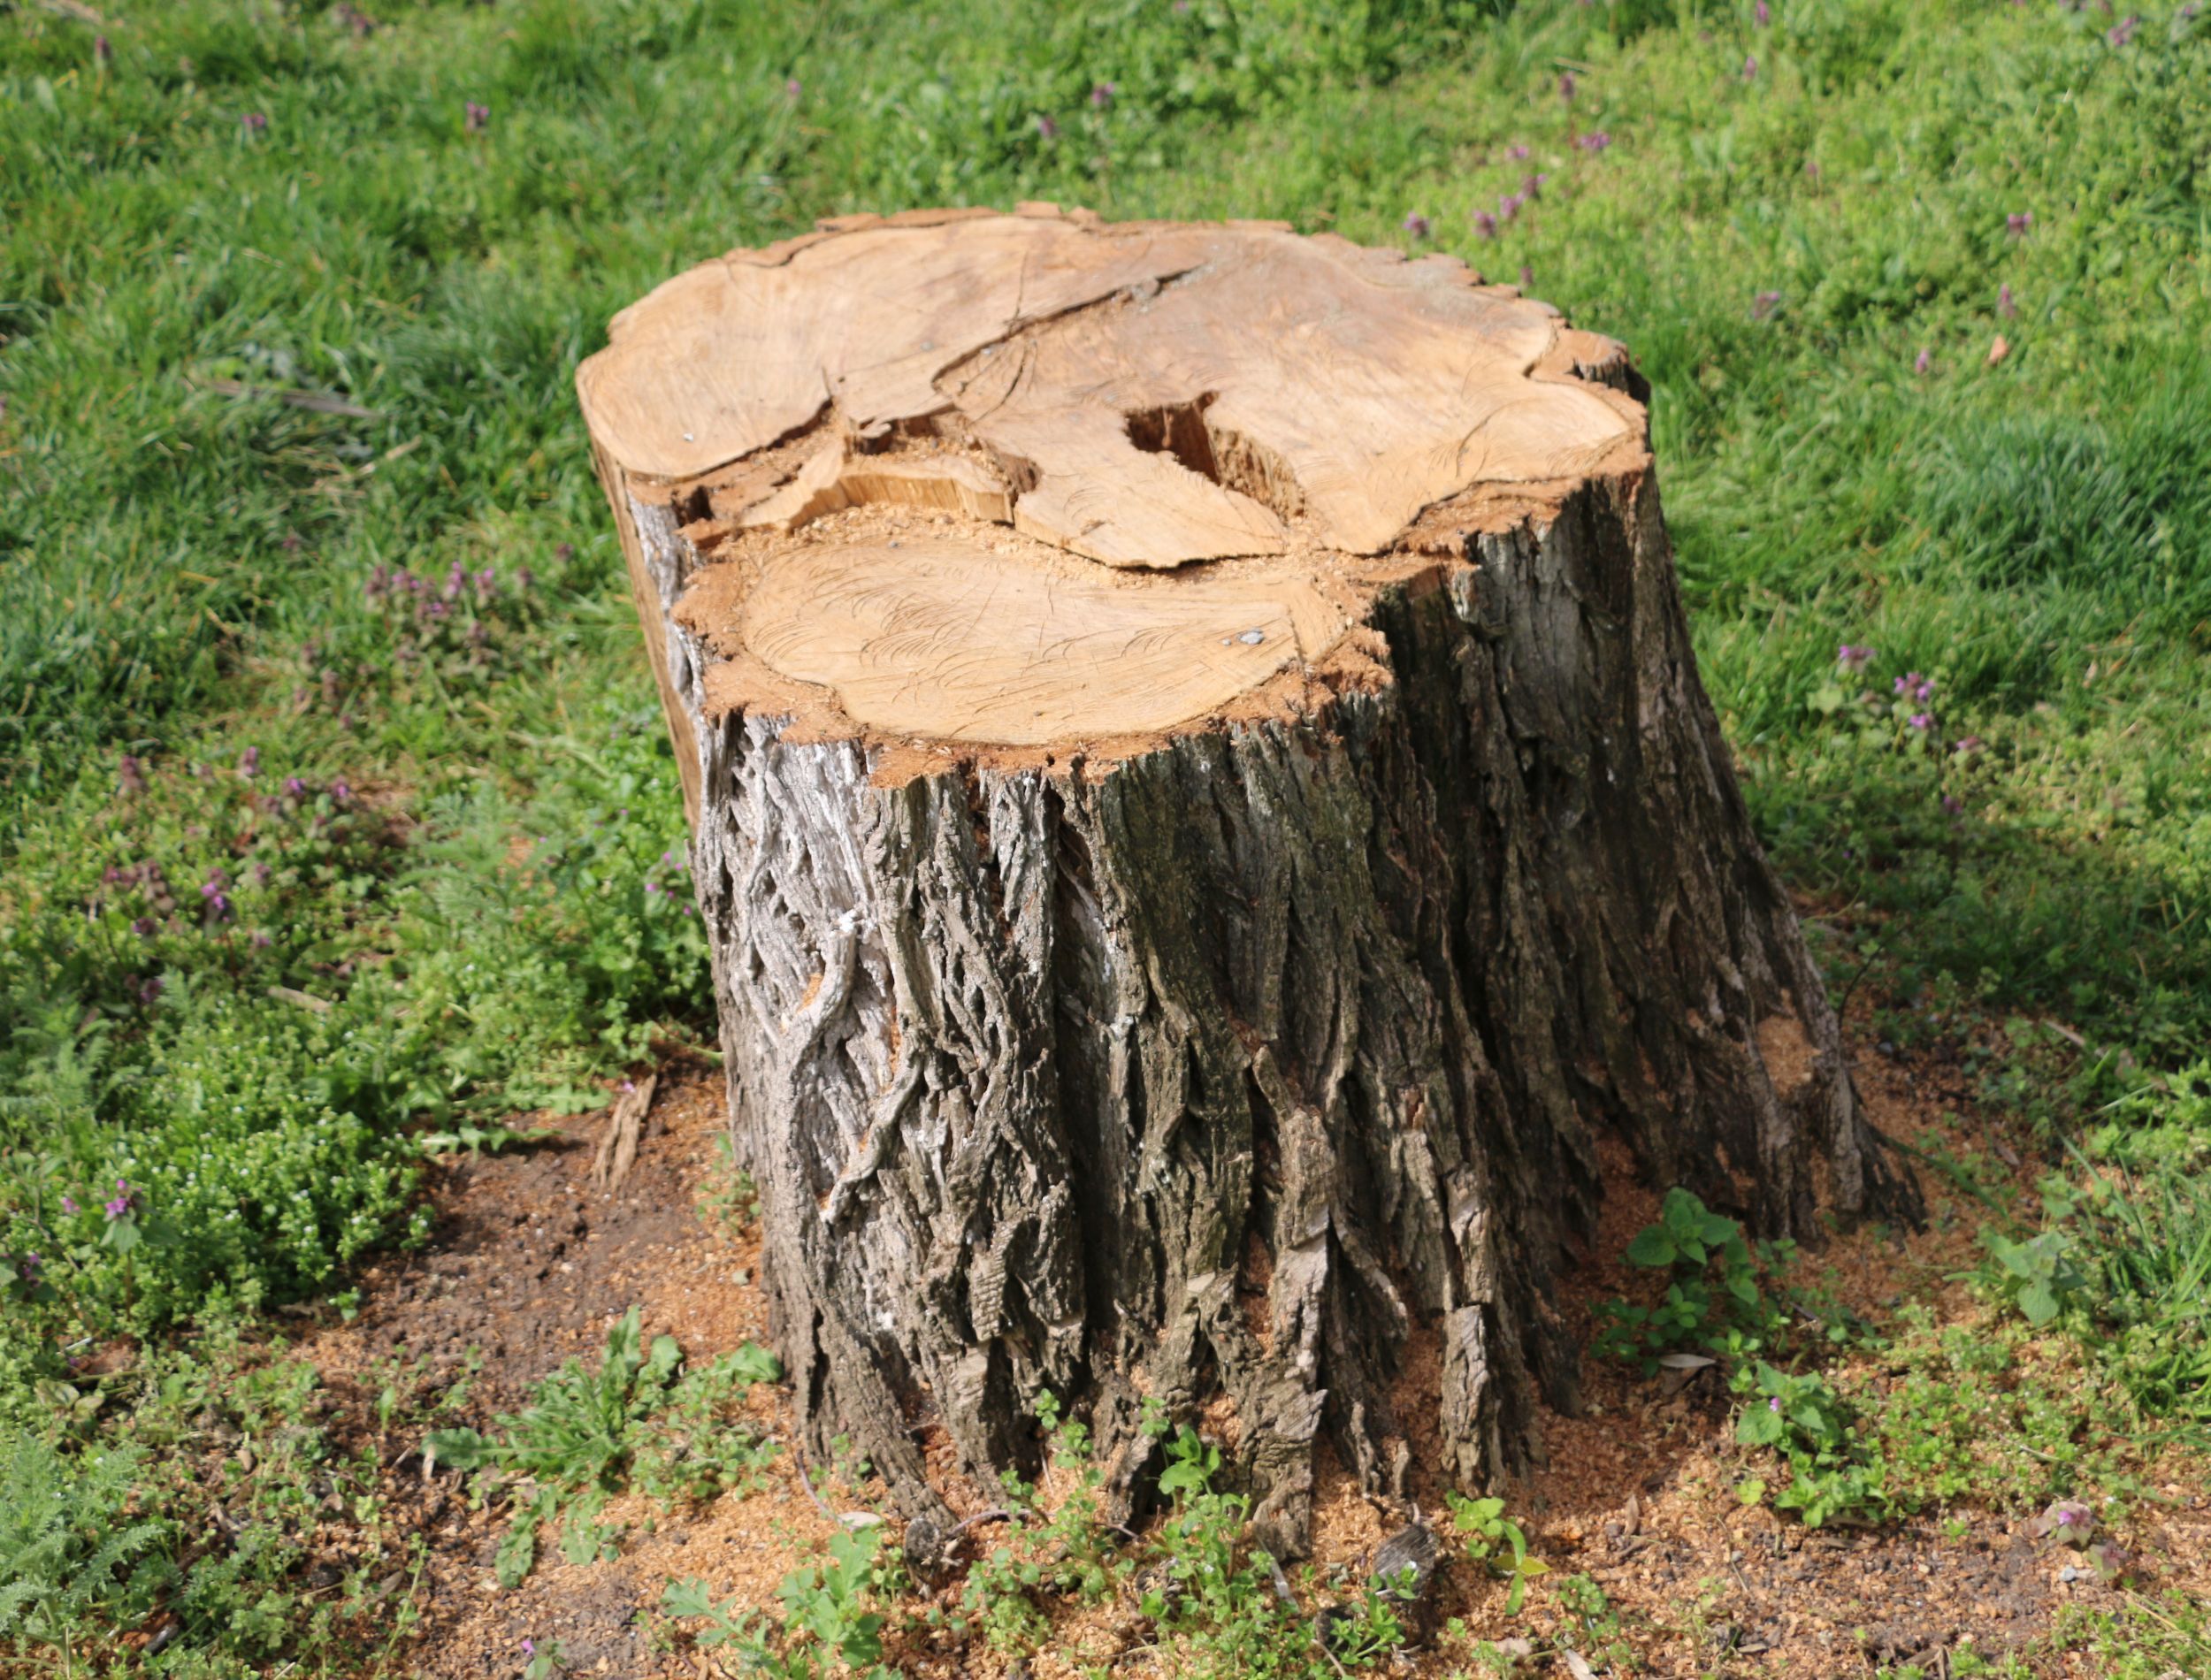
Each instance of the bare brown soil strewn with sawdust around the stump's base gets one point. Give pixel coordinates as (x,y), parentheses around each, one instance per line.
(530,1266)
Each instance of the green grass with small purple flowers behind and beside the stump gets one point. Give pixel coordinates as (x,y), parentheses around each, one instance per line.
(470,874)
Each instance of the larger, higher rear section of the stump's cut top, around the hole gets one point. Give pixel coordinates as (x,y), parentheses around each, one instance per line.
(1334,381)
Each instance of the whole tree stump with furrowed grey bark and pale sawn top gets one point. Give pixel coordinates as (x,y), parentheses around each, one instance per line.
(1206,812)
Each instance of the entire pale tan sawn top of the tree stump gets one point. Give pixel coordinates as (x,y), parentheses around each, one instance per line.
(1036,487)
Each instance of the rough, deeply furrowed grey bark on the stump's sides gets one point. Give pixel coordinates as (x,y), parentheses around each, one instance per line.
(1268,1064)
